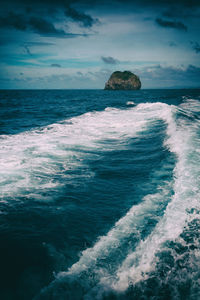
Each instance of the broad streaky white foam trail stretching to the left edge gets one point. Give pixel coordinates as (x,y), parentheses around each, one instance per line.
(33,162)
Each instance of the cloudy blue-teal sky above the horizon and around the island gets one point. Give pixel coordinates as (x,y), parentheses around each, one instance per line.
(77,44)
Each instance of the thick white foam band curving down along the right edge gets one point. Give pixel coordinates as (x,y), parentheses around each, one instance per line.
(183,141)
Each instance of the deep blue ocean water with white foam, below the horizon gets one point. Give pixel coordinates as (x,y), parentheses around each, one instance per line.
(100,195)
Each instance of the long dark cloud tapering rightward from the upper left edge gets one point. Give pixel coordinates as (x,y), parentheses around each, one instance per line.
(35,24)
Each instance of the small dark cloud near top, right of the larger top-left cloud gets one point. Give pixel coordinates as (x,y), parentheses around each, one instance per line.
(82,18)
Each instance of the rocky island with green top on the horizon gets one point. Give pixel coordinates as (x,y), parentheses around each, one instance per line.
(123,81)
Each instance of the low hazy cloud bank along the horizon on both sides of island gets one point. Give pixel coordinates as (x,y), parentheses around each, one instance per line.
(155,76)
